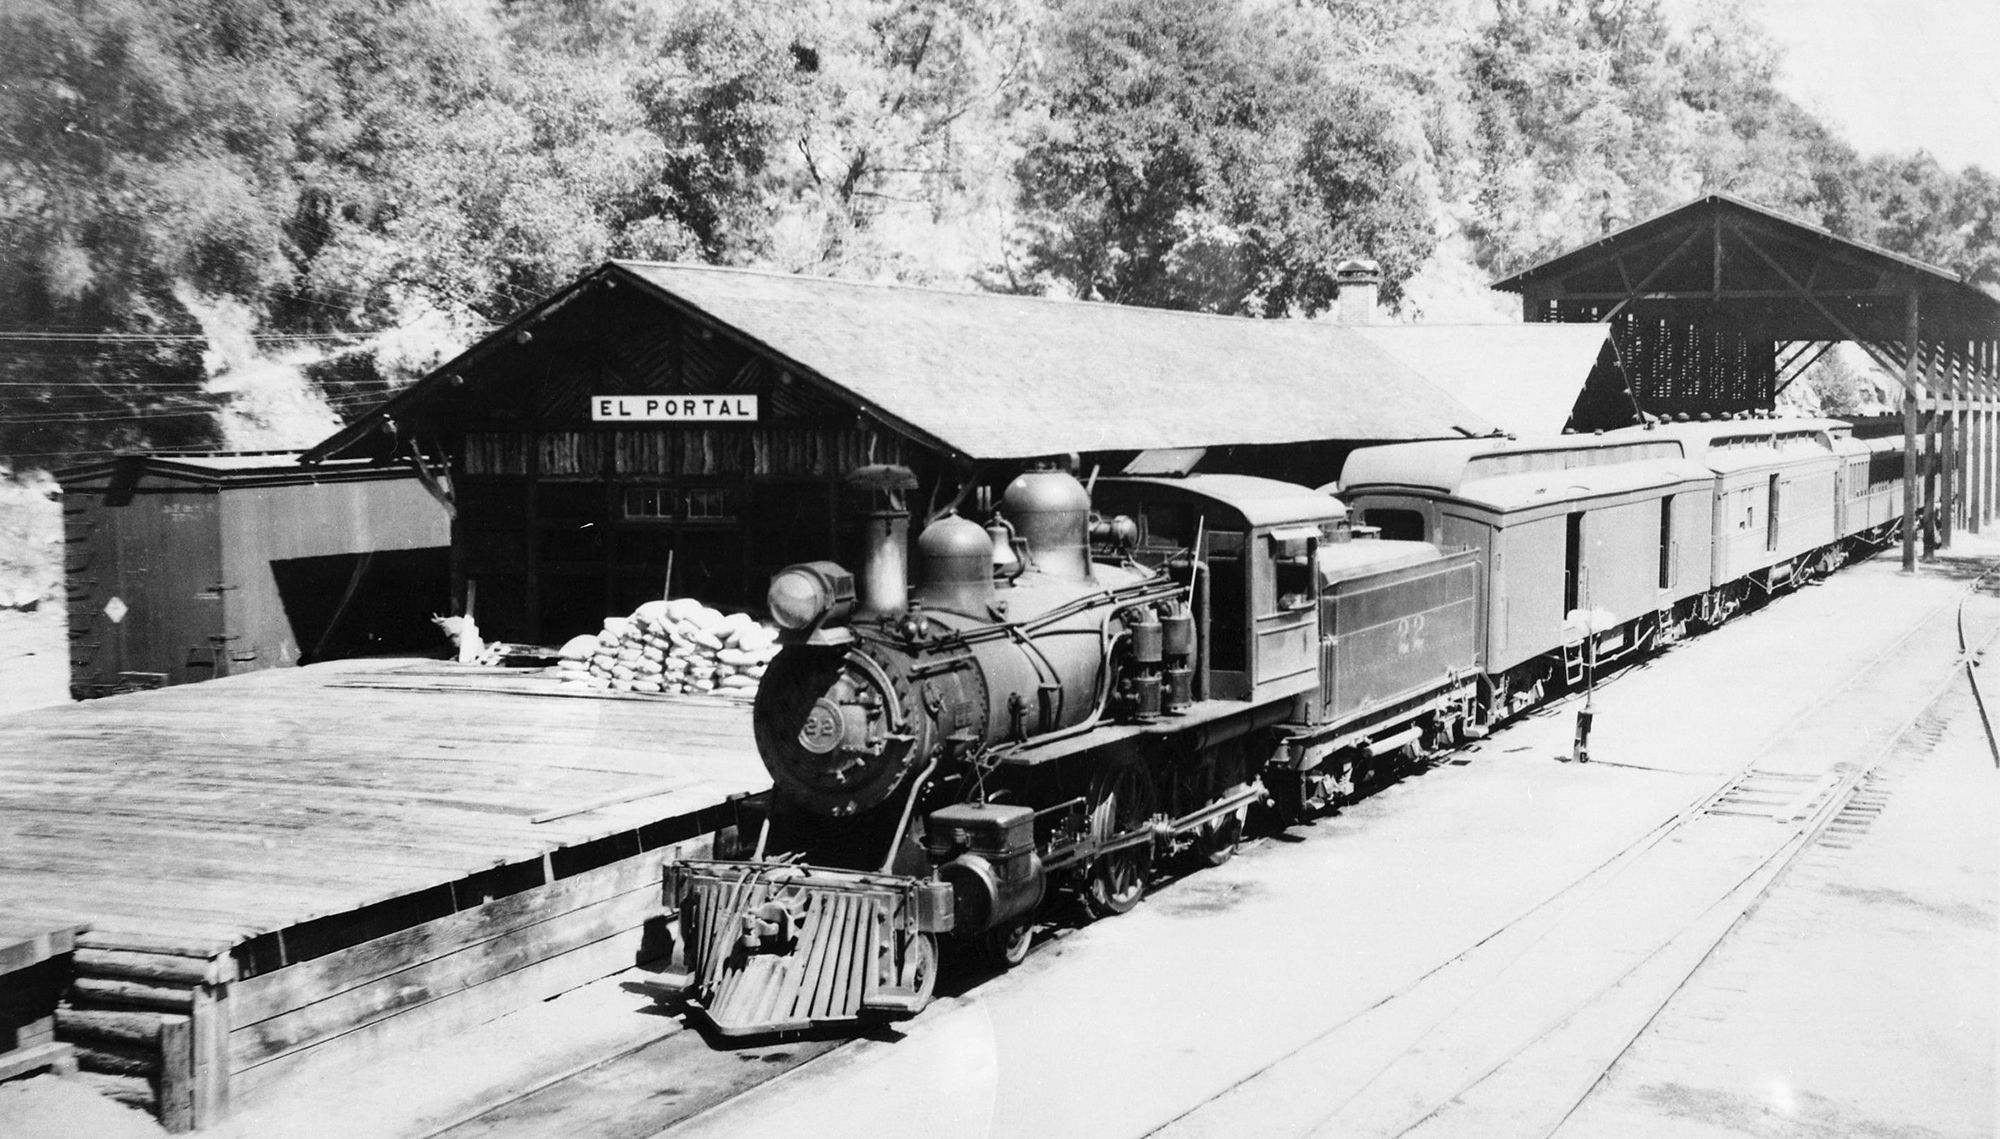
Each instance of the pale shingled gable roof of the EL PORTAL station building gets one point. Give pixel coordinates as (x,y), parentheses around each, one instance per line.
(993,377)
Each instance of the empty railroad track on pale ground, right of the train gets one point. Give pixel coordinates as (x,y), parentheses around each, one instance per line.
(1513,1034)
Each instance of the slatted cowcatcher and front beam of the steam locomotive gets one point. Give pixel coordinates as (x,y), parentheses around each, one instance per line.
(773,948)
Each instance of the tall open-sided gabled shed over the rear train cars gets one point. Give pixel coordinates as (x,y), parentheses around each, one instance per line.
(1719,305)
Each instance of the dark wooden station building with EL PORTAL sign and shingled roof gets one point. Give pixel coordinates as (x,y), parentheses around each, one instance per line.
(679,429)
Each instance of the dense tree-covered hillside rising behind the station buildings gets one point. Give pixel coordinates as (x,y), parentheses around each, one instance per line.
(319,173)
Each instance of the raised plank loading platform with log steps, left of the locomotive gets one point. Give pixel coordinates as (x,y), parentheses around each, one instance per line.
(285,864)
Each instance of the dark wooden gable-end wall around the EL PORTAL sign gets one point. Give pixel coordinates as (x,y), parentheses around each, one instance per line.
(565,521)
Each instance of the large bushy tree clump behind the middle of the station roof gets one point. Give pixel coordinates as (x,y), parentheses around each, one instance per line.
(1207,155)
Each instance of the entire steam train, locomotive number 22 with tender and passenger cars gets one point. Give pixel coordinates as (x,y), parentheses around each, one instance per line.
(1097,680)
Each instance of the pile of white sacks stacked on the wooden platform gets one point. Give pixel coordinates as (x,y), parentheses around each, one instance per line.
(677,646)
